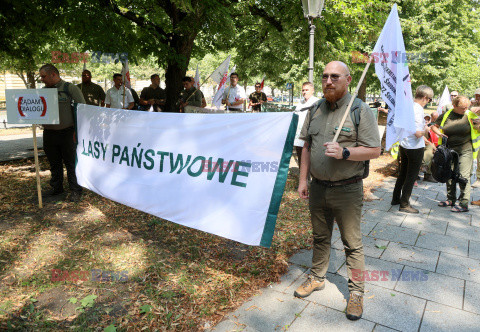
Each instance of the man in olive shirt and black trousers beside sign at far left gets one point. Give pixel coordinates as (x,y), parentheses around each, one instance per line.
(58,140)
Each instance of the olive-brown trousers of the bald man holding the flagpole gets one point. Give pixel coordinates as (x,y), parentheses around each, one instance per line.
(342,204)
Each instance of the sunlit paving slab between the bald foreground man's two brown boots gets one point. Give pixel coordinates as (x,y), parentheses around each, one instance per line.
(335,294)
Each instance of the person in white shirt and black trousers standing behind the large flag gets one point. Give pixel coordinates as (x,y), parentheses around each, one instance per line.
(411,153)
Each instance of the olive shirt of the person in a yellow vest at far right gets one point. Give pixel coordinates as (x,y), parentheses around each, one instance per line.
(457,128)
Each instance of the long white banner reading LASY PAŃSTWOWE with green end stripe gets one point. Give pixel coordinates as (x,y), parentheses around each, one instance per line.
(219,173)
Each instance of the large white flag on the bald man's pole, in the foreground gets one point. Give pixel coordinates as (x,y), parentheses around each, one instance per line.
(391,67)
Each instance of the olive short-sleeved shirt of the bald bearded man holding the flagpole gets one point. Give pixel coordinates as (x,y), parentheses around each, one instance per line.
(322,130)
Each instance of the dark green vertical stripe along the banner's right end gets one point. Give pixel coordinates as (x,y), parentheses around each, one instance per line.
(279,186)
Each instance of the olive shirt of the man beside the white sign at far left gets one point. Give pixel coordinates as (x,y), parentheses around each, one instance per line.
(65,108)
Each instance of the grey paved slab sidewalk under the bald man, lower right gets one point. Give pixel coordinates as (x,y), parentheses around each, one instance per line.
(437,244)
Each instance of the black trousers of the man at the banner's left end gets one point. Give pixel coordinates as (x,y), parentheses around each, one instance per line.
(60,149)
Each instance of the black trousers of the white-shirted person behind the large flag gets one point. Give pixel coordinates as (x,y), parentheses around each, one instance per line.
(411,160)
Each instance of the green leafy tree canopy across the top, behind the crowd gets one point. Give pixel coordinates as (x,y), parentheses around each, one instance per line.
(268,37)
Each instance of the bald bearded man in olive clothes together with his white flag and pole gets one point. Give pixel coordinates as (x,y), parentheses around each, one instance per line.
(338,167)
